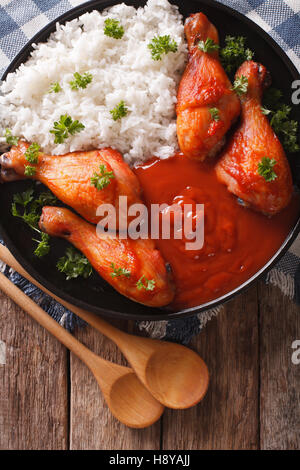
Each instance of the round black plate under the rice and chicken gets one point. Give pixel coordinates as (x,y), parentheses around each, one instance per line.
(95,294)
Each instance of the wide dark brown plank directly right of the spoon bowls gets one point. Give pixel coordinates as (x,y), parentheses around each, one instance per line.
(227,418)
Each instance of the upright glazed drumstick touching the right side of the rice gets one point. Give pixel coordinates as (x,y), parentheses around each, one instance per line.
(204,87)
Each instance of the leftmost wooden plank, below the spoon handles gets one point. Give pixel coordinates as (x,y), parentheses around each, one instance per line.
(33,384)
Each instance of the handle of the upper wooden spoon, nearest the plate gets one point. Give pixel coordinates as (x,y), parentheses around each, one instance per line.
(94,320)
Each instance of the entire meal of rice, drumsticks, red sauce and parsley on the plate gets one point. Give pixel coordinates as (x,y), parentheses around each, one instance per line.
(113,82)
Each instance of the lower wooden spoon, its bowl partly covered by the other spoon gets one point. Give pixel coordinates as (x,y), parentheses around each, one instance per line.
(128,399)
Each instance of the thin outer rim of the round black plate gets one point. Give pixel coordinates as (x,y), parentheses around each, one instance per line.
(165,314)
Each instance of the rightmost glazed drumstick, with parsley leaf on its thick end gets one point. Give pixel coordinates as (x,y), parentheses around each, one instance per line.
(254,144)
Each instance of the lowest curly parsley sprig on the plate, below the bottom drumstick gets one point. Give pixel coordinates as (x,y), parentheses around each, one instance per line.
(74,264)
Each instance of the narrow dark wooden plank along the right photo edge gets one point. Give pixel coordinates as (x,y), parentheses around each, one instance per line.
(280,378)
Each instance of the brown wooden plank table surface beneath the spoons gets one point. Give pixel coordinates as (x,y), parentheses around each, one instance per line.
(49,400)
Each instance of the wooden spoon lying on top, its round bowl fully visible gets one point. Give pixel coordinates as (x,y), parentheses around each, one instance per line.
(175,375)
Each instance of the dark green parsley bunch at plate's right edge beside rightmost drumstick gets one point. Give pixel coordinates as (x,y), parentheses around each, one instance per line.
(279,113)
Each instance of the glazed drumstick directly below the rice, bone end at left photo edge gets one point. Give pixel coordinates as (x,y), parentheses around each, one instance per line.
(69,177)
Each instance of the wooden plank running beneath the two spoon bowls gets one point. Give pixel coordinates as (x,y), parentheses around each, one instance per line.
(92,425)
